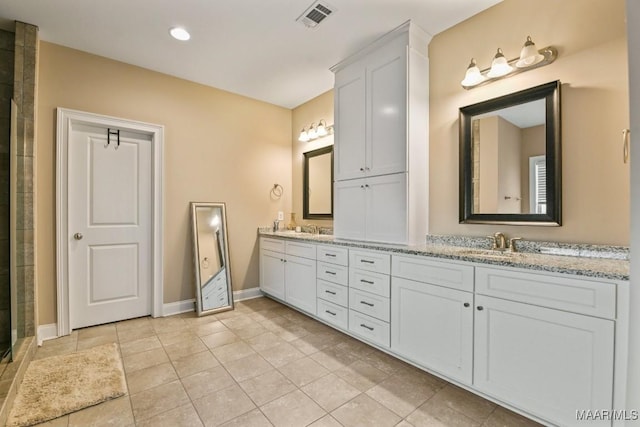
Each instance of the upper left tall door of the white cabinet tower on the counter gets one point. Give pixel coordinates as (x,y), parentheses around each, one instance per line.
(349,106)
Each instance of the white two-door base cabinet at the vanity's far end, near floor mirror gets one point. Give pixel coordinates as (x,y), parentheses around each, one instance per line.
(288,272)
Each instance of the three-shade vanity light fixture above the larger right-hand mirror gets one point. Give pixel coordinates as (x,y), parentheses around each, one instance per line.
(530,58)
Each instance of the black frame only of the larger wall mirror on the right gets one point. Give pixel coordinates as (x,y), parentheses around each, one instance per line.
(550,92)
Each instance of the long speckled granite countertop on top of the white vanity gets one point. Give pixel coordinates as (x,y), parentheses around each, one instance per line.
(583,260)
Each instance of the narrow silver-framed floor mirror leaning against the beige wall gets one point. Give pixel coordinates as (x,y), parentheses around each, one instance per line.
(211,257)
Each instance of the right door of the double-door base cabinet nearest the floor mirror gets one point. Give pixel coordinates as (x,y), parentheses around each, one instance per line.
(300,280)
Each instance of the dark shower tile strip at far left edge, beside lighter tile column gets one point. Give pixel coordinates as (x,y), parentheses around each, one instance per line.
(7,41)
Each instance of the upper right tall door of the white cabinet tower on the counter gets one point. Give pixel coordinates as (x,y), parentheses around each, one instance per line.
(386,115)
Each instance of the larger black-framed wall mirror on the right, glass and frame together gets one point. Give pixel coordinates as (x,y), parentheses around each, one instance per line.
(510,159)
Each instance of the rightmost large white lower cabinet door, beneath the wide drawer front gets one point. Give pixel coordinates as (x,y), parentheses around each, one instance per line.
(550,362)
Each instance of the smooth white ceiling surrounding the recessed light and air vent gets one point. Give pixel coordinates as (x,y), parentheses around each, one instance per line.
(250,47)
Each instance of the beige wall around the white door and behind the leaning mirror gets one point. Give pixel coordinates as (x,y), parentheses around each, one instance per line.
(219,147)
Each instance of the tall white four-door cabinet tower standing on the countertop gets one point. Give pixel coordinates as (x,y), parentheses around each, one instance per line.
(381,131)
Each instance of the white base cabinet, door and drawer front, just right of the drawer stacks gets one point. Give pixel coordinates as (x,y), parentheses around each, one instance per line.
(431,318)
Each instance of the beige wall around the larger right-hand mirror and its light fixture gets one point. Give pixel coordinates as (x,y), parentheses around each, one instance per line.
(592,65)
